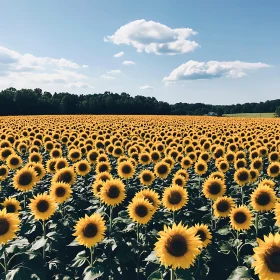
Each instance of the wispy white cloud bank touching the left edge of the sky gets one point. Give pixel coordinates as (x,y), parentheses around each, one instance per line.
(27,70)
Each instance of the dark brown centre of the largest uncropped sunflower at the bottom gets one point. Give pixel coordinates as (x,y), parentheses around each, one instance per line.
(176,245)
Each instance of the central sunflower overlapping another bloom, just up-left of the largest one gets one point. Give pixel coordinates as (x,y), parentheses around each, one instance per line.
(140,210)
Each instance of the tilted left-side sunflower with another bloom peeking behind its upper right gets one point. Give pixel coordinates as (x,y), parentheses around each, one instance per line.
(25,179)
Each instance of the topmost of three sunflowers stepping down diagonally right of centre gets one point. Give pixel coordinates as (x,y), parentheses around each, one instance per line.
(214,188)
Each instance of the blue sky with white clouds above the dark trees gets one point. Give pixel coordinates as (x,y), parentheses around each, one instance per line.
(218,52)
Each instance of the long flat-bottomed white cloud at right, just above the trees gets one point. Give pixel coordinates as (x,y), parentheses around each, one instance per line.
(195,70)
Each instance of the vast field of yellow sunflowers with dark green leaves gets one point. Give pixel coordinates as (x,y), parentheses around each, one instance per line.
(139,197)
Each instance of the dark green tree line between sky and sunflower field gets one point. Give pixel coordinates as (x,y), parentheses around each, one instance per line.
(37,102)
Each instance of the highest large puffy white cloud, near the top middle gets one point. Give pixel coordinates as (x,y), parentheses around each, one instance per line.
(154,37)
